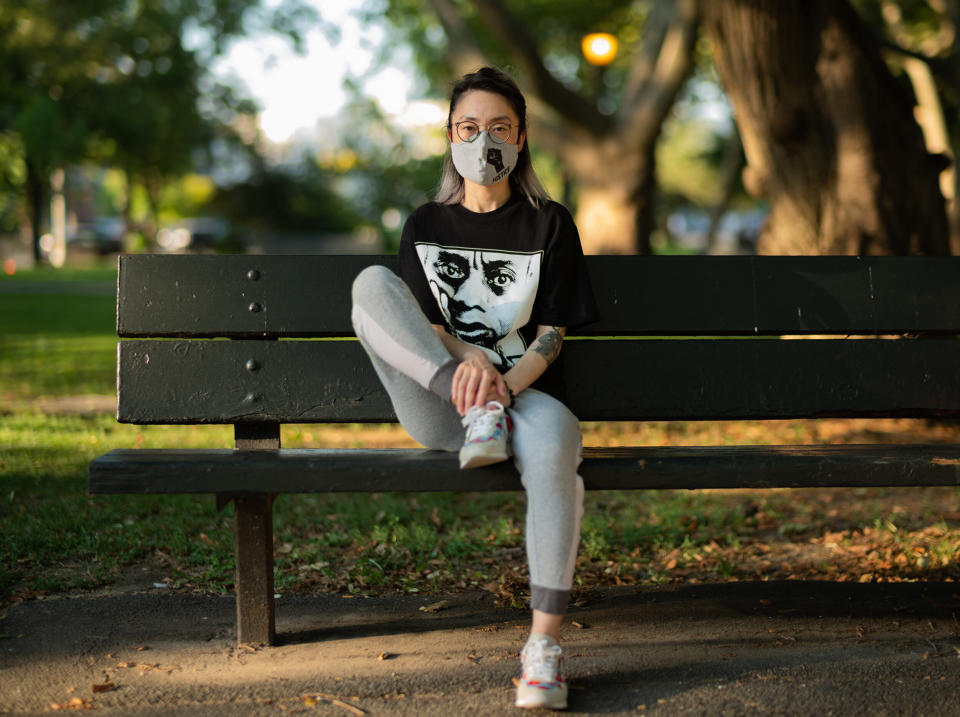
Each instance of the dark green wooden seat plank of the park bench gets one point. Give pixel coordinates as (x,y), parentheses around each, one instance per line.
(321,471)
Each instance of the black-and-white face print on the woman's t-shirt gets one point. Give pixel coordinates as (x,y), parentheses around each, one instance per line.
(485,296)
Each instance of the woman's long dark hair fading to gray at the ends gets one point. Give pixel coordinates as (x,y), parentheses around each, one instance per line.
(522,179)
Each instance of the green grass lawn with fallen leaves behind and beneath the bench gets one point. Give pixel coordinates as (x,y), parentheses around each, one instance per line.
(56,537)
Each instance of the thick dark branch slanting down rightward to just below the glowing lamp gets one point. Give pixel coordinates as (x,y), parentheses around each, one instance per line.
(510,31)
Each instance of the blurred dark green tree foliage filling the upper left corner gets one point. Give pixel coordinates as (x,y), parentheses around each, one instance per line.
(122,83)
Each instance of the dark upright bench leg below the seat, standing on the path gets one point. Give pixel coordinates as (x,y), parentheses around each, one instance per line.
(254,583)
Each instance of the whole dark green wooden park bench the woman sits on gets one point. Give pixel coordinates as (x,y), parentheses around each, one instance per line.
(681,338)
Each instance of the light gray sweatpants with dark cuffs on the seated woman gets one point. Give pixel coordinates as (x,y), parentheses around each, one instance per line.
(416,369)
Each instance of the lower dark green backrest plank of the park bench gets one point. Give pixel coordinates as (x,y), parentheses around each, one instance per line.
(332,381)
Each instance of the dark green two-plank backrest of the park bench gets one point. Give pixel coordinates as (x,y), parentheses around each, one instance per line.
(680,338)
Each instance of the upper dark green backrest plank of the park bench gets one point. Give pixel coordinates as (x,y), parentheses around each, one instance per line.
(309,296)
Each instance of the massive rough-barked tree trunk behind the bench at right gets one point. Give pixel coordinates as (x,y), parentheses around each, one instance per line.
(829,136)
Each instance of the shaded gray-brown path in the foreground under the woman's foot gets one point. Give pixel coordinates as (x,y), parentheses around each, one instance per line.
(787,648)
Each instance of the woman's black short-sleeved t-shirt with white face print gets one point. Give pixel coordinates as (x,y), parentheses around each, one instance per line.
(491,278)
